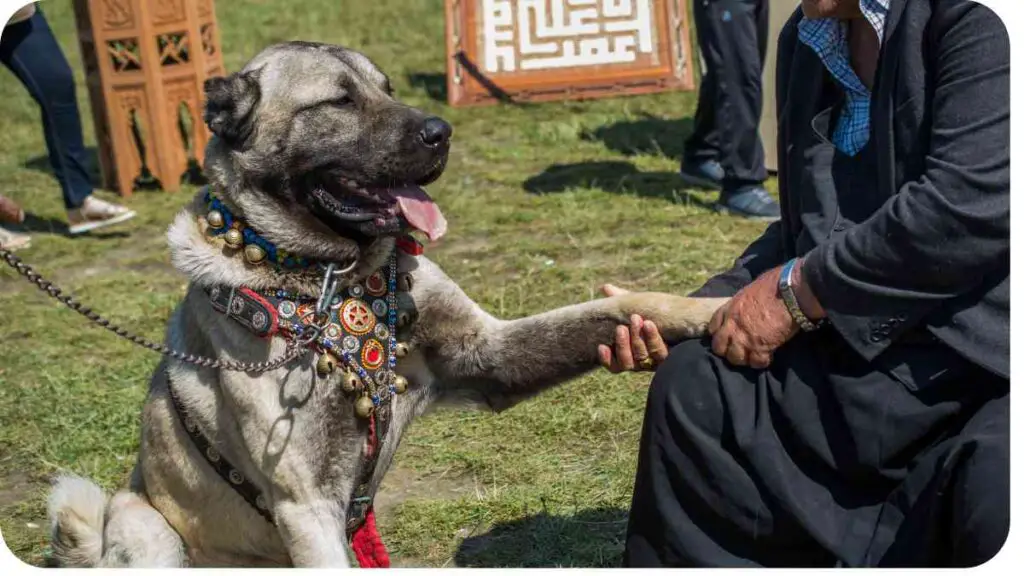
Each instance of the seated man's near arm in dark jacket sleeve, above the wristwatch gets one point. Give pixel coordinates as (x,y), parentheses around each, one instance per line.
(942,235)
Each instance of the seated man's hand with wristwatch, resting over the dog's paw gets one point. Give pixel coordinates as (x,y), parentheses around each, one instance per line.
(749,328)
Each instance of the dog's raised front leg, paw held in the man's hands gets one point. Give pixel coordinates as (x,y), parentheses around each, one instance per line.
(508,361)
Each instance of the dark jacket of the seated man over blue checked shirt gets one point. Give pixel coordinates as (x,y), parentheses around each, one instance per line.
(932,252)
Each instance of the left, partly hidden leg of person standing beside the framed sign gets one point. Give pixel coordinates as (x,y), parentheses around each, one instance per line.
(700,164)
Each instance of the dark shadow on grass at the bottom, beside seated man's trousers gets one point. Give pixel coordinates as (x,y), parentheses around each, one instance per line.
(589,539)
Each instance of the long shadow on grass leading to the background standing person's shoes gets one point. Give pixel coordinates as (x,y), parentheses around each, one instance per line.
(616,177)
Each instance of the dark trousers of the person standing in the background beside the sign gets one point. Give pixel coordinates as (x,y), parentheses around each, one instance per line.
(734,37)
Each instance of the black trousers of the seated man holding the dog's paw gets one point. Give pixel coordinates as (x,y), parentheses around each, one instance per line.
(824,460)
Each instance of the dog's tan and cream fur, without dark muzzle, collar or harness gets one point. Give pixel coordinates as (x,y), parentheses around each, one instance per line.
(291,433)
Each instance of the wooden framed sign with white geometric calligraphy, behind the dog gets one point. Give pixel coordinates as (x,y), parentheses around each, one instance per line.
(532,51)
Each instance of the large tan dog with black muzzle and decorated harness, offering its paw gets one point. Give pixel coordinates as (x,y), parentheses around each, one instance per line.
(321,168)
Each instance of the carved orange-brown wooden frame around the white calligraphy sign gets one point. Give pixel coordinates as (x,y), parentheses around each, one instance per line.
(470,86)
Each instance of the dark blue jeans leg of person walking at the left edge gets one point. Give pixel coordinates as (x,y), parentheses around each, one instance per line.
(31,52)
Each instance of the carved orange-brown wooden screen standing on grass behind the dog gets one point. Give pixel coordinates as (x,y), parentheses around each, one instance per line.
(146,62)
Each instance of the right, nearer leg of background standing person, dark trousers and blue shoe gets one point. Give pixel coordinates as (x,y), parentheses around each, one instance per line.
(736,36)
